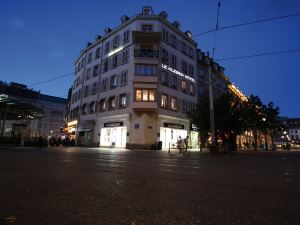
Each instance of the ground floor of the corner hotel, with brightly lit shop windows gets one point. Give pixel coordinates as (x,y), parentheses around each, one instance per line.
(137,131)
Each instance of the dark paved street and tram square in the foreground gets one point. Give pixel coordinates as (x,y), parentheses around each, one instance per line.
(91,186)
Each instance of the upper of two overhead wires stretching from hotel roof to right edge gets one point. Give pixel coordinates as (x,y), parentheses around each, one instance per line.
(248,23)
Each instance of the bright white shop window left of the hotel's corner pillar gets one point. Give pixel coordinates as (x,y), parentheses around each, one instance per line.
(113,135)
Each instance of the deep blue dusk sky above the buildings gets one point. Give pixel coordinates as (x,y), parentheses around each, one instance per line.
(40,40)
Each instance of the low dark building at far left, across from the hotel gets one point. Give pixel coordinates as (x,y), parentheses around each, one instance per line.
(44,115)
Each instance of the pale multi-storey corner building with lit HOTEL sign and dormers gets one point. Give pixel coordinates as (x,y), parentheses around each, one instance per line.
(135,85)
